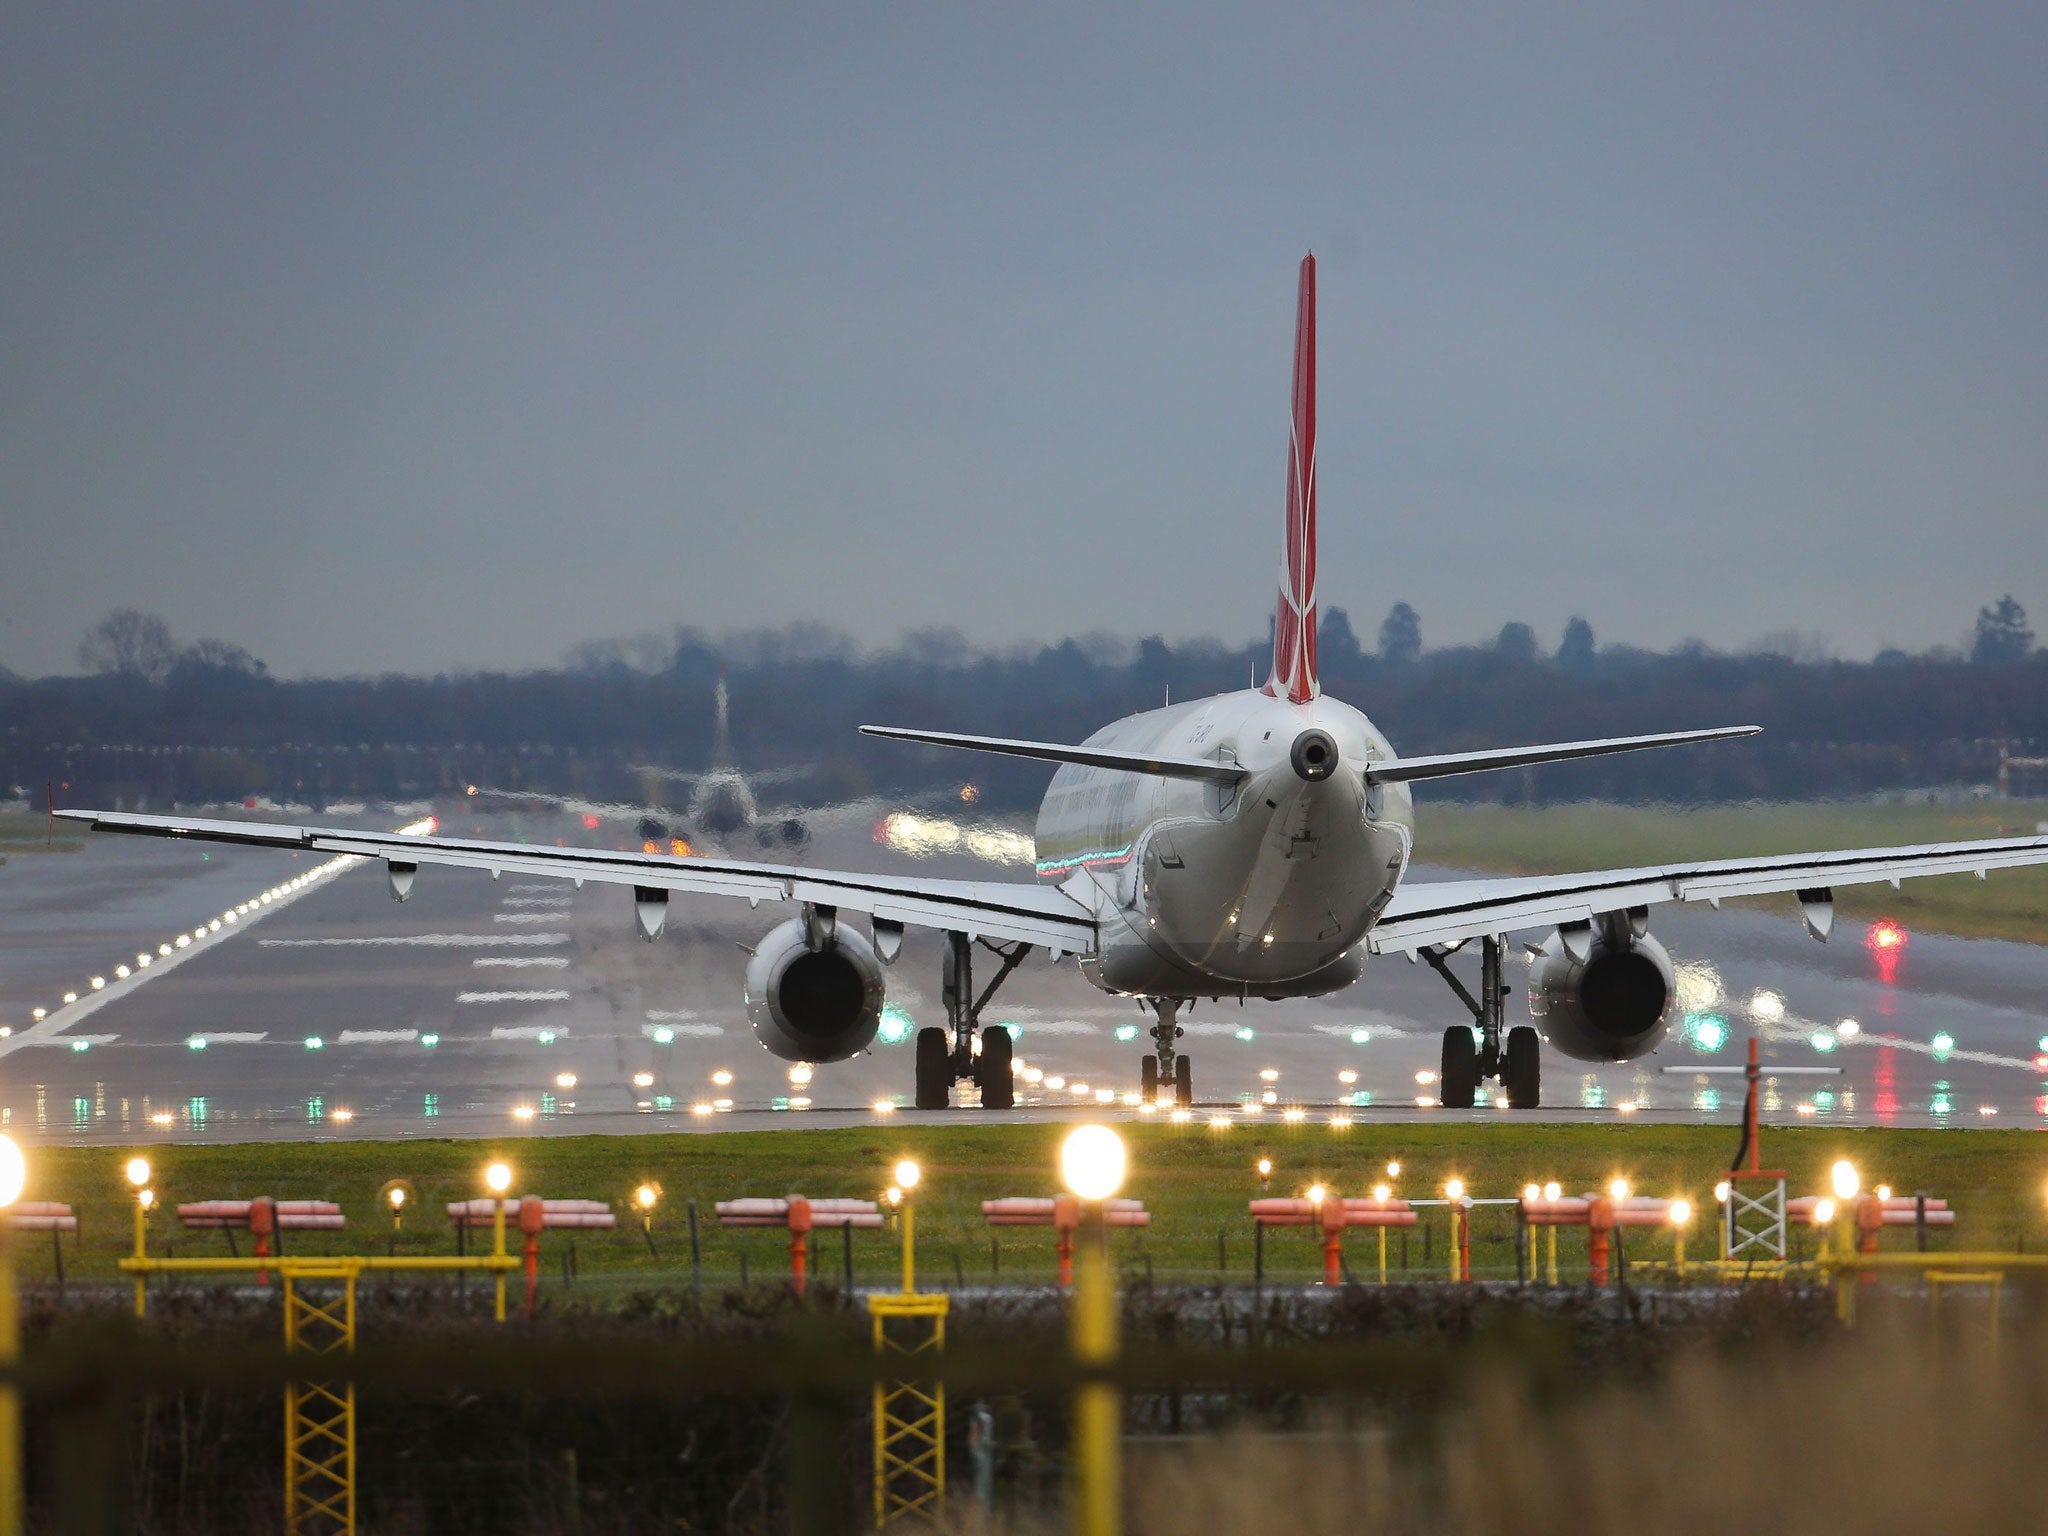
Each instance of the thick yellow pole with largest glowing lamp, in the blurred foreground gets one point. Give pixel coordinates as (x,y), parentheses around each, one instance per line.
(1093,1166)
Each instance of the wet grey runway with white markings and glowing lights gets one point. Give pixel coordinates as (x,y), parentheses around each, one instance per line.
(529,1007)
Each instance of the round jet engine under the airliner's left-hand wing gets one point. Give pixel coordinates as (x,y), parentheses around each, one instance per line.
(816,1005)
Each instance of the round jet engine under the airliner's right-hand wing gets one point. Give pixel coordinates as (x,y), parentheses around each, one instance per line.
(1605,994)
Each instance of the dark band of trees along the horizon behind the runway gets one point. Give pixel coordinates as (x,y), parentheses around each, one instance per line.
(157,722)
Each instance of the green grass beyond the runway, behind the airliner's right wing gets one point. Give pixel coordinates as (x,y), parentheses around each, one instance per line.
(1539,841)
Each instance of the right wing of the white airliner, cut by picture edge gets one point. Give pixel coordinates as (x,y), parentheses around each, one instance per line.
(1449,912)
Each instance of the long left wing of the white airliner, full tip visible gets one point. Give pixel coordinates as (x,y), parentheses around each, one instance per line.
(1002,910)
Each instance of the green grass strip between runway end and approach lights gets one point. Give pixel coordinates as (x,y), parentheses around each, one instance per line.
(1193,1181)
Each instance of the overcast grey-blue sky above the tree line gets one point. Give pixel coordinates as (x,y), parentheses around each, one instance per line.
(435,337)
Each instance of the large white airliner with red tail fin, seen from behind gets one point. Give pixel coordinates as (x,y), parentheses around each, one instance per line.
(1250,845)
